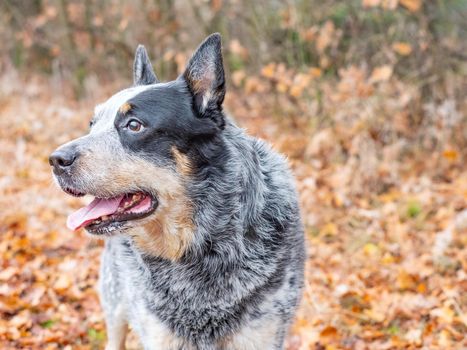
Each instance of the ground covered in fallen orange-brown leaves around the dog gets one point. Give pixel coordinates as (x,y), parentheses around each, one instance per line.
(387,258)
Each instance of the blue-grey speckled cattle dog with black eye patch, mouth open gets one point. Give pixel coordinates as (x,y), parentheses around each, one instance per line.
(204,245)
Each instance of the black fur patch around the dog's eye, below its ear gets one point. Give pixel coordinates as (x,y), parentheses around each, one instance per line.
(167,116)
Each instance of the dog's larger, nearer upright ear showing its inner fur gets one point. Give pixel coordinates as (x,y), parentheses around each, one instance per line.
(204,76)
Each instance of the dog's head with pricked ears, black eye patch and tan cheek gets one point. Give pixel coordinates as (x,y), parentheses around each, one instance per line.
(135,159)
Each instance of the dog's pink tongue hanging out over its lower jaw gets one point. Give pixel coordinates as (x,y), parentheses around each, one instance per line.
(97,208)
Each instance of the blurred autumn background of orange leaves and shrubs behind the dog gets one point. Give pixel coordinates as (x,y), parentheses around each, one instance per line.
(367,98)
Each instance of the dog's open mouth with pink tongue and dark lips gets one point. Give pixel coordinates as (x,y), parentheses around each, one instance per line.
(105,213)
